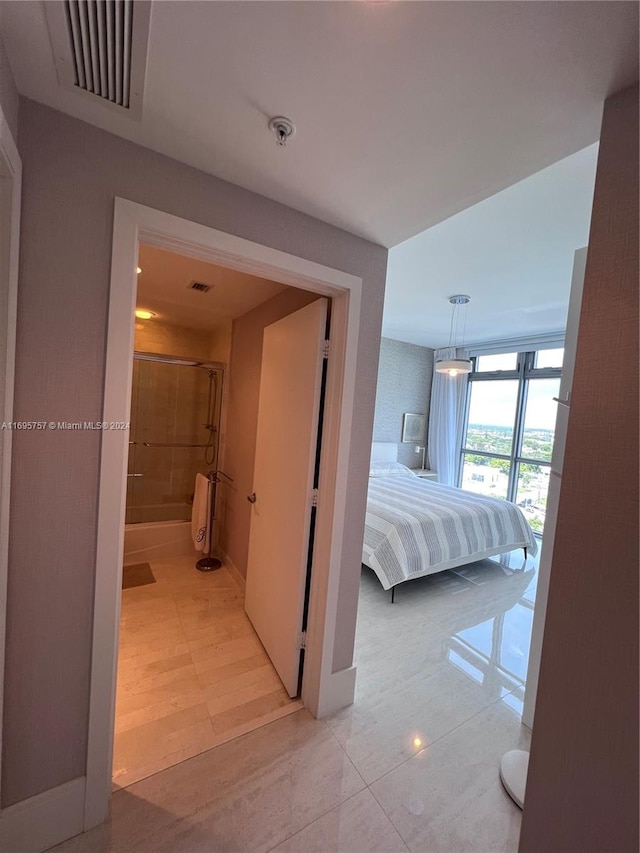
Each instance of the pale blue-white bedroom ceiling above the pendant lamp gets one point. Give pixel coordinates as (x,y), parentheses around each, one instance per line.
(512,253)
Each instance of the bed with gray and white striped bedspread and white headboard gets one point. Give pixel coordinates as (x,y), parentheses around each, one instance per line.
(417,527)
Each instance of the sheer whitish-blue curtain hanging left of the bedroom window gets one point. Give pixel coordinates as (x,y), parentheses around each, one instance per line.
(445,420)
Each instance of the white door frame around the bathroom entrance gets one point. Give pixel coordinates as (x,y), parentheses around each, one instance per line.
(323,691)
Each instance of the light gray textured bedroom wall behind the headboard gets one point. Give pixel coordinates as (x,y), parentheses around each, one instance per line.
(405,373)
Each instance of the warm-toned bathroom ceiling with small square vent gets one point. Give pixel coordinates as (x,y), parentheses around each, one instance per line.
(163,287)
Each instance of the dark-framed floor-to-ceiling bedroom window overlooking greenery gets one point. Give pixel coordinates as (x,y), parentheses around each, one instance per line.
(509,428)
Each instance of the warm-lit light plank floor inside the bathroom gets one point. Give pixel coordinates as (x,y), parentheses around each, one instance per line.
(192,673)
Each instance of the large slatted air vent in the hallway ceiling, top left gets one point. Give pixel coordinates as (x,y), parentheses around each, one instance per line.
(100,49)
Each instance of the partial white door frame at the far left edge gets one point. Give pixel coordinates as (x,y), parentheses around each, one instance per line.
(11,173)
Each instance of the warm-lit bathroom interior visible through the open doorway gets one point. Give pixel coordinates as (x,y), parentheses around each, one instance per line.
(192,672)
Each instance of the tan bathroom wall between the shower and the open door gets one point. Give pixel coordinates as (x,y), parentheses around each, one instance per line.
(245,366)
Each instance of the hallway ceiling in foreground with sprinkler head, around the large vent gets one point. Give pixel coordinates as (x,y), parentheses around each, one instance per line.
(407,112)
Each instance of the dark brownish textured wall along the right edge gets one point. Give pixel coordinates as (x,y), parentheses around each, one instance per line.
(582,789)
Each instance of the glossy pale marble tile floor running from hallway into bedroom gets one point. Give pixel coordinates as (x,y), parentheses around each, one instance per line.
(412,765)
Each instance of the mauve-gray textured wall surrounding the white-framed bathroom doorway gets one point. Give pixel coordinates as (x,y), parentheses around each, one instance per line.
(72,172)
